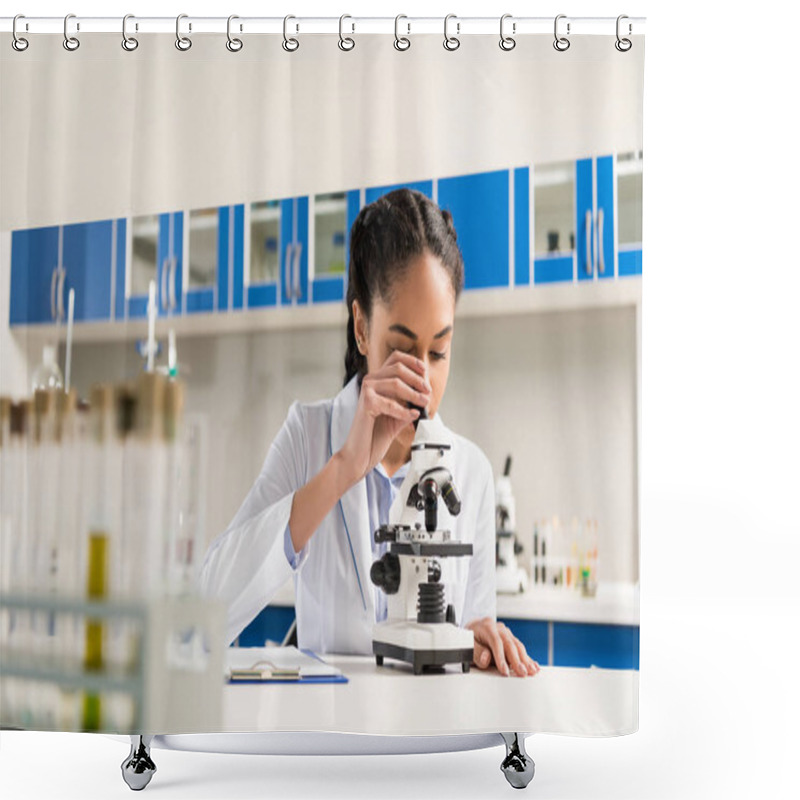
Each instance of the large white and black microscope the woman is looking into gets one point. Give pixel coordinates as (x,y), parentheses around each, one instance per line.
(419,629)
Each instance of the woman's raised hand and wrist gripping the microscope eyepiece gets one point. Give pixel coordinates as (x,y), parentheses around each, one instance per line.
(383,411)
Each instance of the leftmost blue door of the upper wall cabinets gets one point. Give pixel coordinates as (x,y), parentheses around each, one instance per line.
(34,276)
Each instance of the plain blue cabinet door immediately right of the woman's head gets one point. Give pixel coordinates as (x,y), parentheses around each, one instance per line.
(479,204)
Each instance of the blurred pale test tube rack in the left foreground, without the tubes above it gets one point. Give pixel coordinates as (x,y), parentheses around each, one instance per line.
(175,682)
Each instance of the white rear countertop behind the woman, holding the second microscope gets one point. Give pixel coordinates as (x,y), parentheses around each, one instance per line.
(614,604)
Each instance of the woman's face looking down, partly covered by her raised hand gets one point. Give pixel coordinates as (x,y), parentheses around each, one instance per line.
(418,320)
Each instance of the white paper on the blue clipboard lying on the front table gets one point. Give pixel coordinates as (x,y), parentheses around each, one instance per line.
(275,663)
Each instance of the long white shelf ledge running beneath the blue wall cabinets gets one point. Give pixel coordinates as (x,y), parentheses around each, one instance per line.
(472,304)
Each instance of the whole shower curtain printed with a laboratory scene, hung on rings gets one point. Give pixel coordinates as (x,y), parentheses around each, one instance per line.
(181,210)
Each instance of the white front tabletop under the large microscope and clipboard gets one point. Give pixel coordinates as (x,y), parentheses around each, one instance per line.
(391,700)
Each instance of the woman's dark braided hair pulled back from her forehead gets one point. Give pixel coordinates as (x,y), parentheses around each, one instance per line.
(386,236)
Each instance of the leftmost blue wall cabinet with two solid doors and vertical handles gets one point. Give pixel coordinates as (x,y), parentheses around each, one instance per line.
(47,262)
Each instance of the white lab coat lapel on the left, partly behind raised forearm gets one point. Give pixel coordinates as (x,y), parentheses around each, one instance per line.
(354,501)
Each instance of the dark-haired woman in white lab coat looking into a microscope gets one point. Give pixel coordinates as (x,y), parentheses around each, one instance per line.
(334,467)
